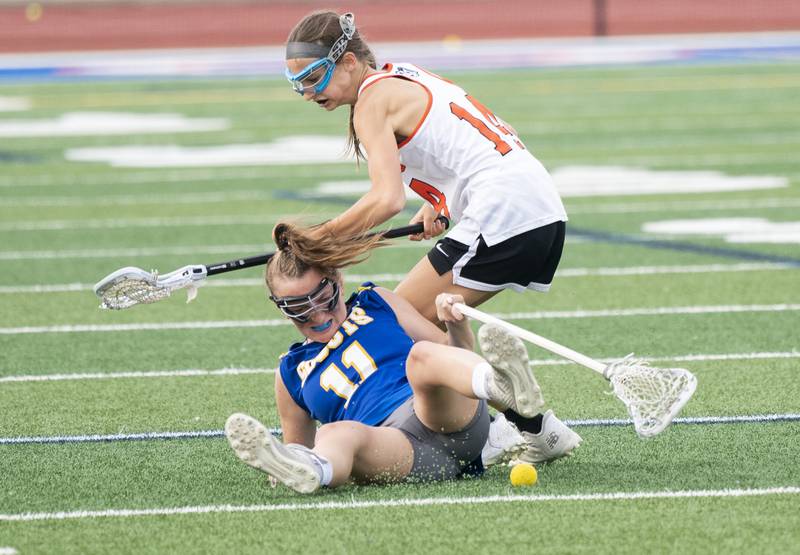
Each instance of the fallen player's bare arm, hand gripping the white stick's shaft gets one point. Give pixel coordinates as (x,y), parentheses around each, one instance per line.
(420,328)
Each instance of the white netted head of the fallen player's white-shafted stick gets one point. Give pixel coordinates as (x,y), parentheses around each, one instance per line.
(653,396)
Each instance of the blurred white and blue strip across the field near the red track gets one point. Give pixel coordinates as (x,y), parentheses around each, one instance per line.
(268,61)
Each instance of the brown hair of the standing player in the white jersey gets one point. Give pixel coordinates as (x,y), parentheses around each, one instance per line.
(322,27)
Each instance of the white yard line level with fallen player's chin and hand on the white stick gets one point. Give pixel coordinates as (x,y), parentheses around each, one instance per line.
(541,315)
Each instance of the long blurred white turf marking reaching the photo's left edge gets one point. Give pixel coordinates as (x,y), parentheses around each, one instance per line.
(108,123)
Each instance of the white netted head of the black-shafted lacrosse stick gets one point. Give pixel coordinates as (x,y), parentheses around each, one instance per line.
(130,286)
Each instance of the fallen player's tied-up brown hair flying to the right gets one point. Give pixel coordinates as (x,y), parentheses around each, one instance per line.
(298,253)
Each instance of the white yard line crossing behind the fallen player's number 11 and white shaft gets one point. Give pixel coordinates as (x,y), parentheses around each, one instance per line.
(191,373)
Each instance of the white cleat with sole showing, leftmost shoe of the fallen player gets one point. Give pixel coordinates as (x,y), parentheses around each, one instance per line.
(295,466)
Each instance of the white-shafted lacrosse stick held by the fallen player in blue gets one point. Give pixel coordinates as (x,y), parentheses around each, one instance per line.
(653,396)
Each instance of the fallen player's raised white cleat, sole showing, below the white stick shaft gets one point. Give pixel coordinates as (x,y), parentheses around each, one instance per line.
(512,384)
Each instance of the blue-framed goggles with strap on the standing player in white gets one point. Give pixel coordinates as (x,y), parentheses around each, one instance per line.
(314,78)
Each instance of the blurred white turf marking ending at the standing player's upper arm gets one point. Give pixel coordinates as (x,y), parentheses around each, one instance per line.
(294,150)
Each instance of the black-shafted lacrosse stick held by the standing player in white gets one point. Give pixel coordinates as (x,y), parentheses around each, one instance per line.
(130,286)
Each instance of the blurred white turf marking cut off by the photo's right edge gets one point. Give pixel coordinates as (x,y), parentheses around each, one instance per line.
(733,230)
